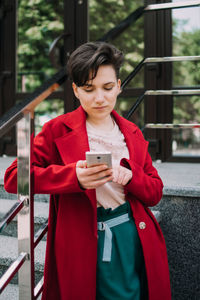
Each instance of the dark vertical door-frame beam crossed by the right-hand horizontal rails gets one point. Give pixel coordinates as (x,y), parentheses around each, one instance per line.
(158,109)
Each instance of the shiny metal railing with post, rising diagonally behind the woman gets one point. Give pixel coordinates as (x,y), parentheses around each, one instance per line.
(22,115)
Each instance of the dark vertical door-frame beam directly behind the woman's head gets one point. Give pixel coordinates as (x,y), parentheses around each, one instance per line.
(75,23)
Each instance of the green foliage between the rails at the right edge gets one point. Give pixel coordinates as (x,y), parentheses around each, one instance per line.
(187,109)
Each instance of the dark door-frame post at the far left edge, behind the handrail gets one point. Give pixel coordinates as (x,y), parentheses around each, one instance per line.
(8,46)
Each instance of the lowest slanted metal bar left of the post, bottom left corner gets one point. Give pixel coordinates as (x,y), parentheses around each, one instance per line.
(12,270)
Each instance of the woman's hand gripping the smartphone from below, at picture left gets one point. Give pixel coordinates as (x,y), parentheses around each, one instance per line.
(92,177)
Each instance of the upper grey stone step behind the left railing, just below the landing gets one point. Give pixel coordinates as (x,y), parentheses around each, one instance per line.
(41,211)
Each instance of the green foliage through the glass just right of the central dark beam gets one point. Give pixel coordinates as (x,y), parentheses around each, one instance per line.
(106,14)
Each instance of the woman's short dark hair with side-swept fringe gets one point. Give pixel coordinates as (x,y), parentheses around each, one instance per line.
(88,57)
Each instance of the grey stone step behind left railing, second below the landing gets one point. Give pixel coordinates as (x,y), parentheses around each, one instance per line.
(9,252)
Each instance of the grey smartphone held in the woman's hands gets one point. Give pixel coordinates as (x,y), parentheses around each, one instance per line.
(96,158)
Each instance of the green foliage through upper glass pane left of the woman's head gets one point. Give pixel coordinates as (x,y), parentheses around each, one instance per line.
(39,23)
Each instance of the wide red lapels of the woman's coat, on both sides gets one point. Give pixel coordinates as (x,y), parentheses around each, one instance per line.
(73,145)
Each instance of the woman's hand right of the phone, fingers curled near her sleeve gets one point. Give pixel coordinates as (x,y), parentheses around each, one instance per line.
(121,175)
